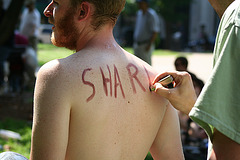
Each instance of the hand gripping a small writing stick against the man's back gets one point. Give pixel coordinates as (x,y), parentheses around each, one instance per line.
(182,96)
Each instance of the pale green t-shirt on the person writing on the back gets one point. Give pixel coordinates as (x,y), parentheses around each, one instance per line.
(218,106)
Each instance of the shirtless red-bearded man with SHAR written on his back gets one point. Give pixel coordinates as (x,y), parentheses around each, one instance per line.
(96,103)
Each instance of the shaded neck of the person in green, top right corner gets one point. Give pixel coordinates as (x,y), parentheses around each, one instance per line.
(220,6)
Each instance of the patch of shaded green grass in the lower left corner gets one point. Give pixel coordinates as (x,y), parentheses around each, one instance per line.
(24,129)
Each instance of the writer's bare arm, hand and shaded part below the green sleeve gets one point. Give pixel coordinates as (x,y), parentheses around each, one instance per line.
(183,97)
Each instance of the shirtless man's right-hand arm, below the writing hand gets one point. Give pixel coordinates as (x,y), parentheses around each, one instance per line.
(167,144)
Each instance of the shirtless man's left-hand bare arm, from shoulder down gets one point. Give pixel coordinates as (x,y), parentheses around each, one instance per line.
(51,114)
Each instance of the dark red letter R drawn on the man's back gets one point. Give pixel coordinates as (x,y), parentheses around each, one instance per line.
(134,76)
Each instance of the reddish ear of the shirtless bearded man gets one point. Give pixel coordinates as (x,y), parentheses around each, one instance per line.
(84,11)
